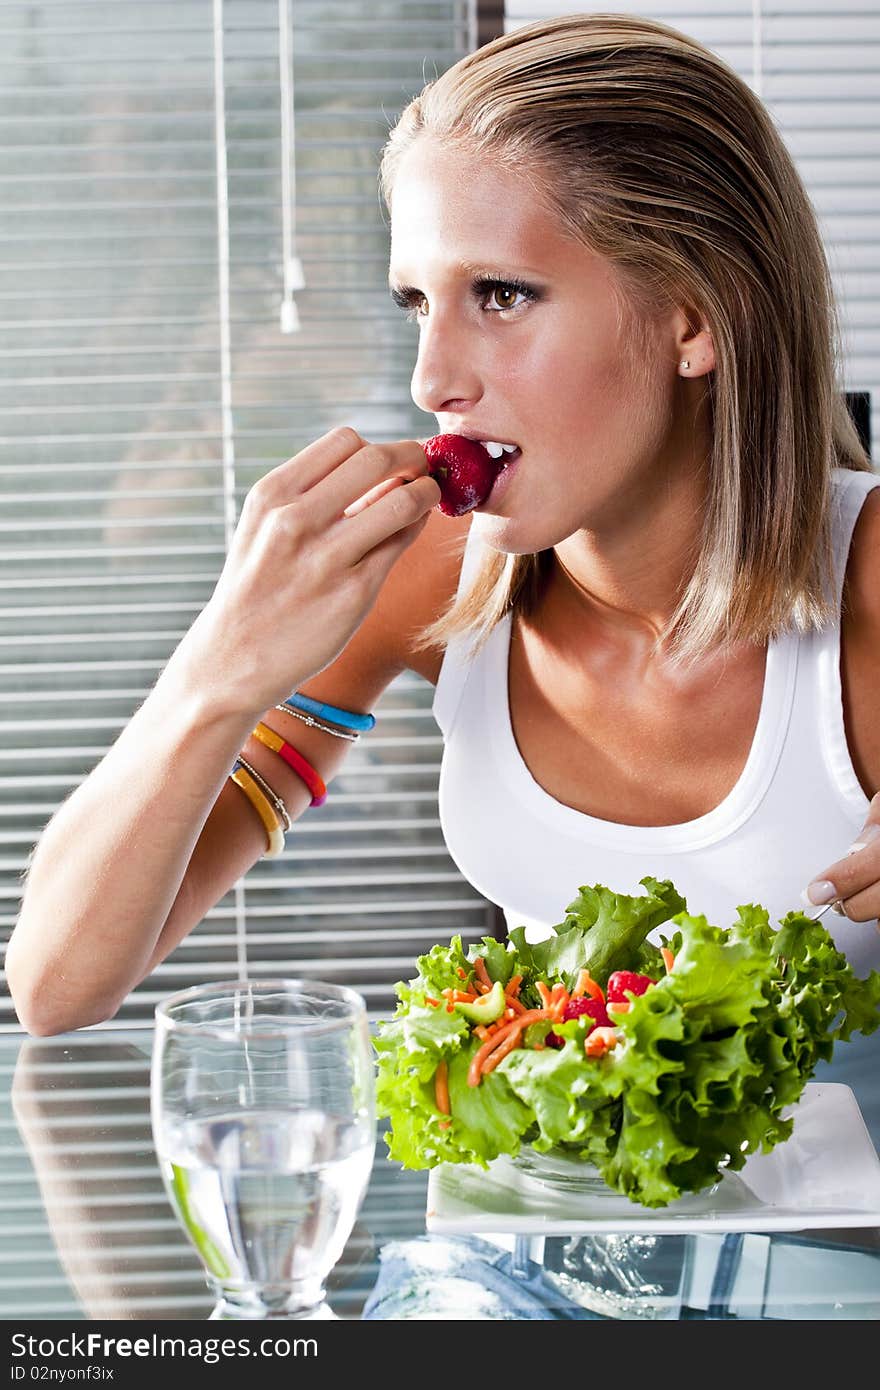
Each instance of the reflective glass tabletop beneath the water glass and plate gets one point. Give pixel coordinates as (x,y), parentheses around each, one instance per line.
(88,1232)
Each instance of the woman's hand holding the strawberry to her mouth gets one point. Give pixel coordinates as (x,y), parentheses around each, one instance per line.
(315,543)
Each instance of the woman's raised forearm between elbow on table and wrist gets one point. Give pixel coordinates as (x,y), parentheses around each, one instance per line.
(109,867)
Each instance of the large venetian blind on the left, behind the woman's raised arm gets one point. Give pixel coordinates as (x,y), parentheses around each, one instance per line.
(163,169)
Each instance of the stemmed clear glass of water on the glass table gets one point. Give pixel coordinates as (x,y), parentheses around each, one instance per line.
(265,1128)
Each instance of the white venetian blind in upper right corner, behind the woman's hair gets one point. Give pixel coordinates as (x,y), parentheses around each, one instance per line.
(817,67)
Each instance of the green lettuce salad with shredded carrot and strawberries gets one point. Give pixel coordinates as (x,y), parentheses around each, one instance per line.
(661,1065)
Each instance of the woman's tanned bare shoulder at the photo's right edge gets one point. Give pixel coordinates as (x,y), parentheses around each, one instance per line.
(861,646)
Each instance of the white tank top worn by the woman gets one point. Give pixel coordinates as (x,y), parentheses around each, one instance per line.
(796,808)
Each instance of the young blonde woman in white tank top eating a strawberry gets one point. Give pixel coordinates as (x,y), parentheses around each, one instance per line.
(655,646)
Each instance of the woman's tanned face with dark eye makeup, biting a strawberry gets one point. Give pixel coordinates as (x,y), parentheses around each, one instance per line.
(519,341)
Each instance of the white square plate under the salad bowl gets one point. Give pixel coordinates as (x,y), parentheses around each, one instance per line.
(828,1175)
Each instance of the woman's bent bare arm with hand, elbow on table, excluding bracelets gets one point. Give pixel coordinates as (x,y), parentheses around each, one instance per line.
(155,836)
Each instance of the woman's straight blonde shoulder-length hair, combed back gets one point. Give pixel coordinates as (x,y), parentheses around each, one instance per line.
(657,156)
